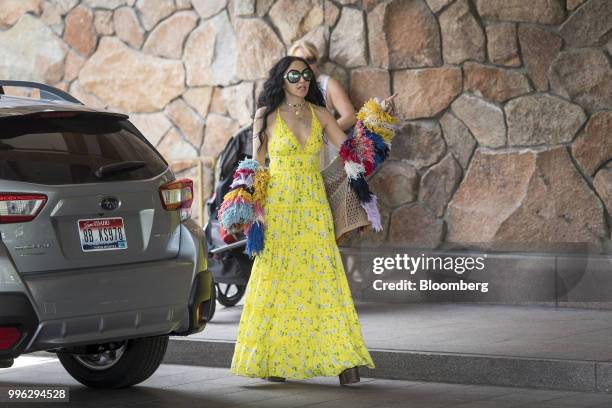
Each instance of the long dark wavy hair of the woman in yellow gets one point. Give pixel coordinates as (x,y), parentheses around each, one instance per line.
(273,93)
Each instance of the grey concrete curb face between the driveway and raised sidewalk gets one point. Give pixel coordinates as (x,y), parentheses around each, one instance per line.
(557,374)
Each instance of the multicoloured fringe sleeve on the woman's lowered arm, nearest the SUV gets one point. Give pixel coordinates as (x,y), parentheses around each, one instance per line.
(242,207)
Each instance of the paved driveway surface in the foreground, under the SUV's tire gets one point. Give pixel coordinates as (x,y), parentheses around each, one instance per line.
(176,386)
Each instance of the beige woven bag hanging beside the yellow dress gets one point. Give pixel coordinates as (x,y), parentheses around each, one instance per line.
(347,212)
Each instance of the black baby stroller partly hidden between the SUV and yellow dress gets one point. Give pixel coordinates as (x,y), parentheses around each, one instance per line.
(229,264)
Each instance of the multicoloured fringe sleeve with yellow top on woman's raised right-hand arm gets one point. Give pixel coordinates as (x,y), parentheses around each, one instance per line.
(366,148)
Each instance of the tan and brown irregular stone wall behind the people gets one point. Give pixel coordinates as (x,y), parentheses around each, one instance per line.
(507,104)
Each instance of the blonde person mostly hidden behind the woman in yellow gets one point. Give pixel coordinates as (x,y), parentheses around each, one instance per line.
(336,98)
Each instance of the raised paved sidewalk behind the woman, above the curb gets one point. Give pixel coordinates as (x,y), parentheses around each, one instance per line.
(517,331)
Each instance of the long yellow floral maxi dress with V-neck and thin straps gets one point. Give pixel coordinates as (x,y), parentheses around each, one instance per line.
(298,320)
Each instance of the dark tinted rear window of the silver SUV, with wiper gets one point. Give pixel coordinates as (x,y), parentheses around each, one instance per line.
(70,150)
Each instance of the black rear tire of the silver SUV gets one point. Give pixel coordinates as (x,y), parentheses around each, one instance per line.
(139,359)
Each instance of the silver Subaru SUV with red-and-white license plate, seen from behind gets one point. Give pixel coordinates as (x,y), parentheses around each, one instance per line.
(99,259)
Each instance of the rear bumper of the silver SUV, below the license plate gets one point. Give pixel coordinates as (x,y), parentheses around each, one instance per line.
(98,305)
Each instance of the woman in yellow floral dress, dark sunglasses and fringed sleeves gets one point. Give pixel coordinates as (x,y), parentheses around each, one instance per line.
(298,320)
